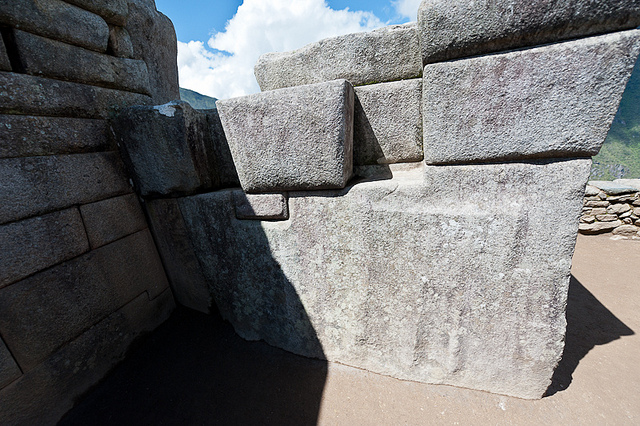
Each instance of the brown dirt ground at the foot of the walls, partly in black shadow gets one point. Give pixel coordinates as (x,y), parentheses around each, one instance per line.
(195,370)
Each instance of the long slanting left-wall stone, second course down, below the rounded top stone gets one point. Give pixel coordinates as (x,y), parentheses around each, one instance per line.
(49,58)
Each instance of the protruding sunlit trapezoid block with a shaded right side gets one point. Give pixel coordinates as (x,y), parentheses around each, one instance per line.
(294,138)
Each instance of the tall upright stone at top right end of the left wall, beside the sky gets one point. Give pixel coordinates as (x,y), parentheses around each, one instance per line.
(154,41)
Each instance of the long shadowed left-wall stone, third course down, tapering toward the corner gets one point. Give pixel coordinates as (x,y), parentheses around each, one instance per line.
(26,94)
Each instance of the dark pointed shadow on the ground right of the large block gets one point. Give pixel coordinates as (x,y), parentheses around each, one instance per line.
(589,323)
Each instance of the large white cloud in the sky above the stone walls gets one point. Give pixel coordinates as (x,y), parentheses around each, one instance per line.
(261,26)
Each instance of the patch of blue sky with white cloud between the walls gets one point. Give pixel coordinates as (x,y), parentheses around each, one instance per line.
(219,41)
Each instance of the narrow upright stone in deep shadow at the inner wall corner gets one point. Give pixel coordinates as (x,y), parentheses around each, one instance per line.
(183,269)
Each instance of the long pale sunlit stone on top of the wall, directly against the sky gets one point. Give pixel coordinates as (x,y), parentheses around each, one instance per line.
(386,54)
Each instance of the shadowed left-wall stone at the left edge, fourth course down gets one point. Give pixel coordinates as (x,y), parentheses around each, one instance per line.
(25,136)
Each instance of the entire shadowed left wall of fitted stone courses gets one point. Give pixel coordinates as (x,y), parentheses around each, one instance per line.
(80,276)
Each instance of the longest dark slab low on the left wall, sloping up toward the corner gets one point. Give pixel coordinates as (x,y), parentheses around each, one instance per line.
(41,313)
